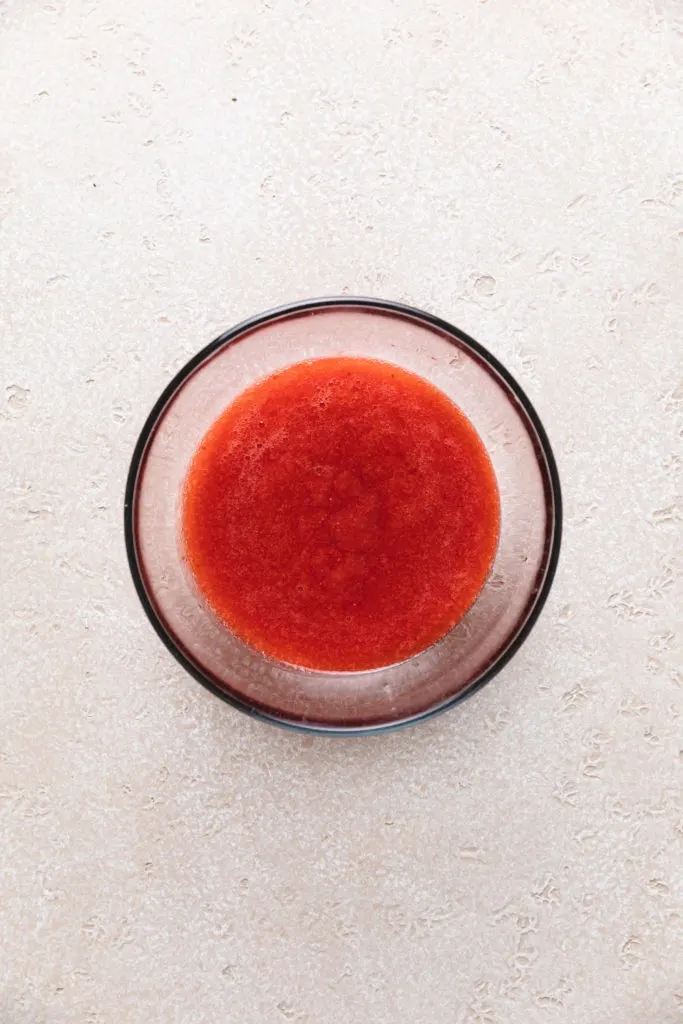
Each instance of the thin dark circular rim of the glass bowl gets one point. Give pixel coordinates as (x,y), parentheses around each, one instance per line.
(229,337)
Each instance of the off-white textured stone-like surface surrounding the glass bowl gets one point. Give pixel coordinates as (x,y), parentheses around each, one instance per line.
(514,167)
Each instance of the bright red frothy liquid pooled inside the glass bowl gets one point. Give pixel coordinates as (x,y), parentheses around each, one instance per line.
(341,516)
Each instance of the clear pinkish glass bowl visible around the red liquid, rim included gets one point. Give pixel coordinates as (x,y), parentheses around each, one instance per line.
(513,598)
